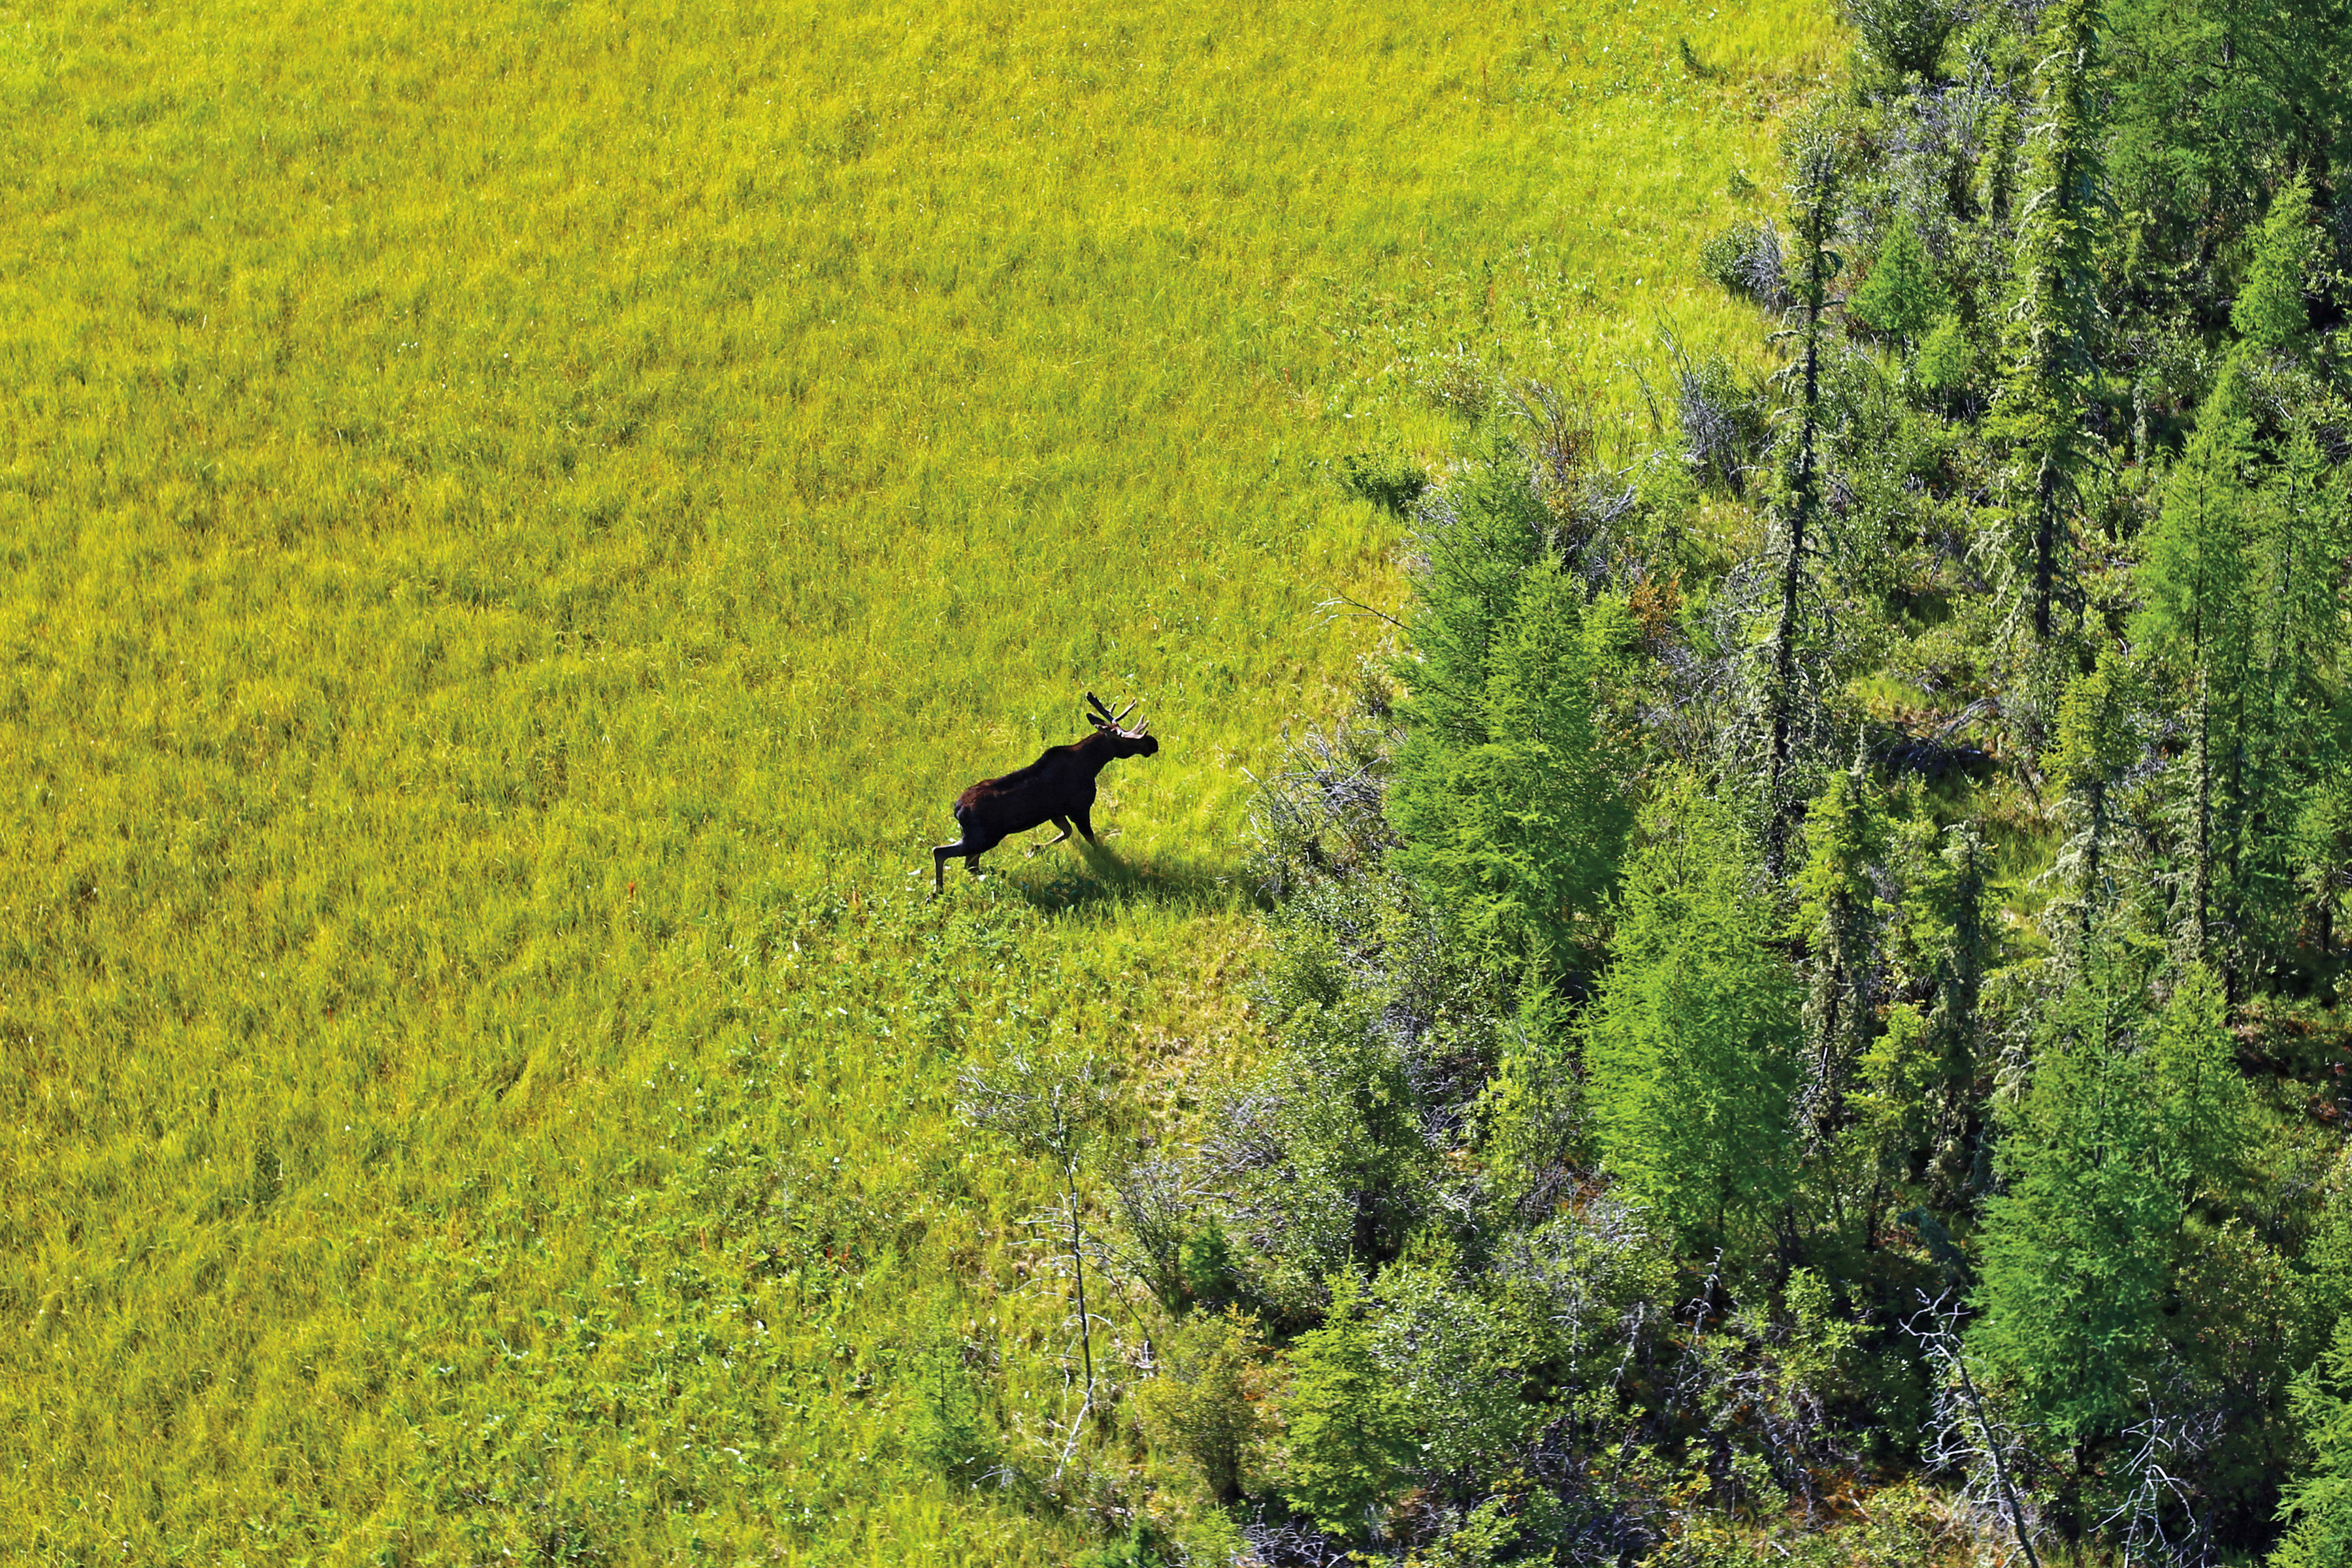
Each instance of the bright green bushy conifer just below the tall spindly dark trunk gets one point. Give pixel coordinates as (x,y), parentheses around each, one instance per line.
(1692,1043)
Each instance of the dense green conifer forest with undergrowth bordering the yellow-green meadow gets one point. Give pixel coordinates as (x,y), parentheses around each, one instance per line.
(1805,993)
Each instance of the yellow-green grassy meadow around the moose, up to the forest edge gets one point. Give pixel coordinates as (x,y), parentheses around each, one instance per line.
(514,525)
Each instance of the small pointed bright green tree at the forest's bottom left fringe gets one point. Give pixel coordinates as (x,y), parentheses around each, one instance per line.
(1347,1426)
